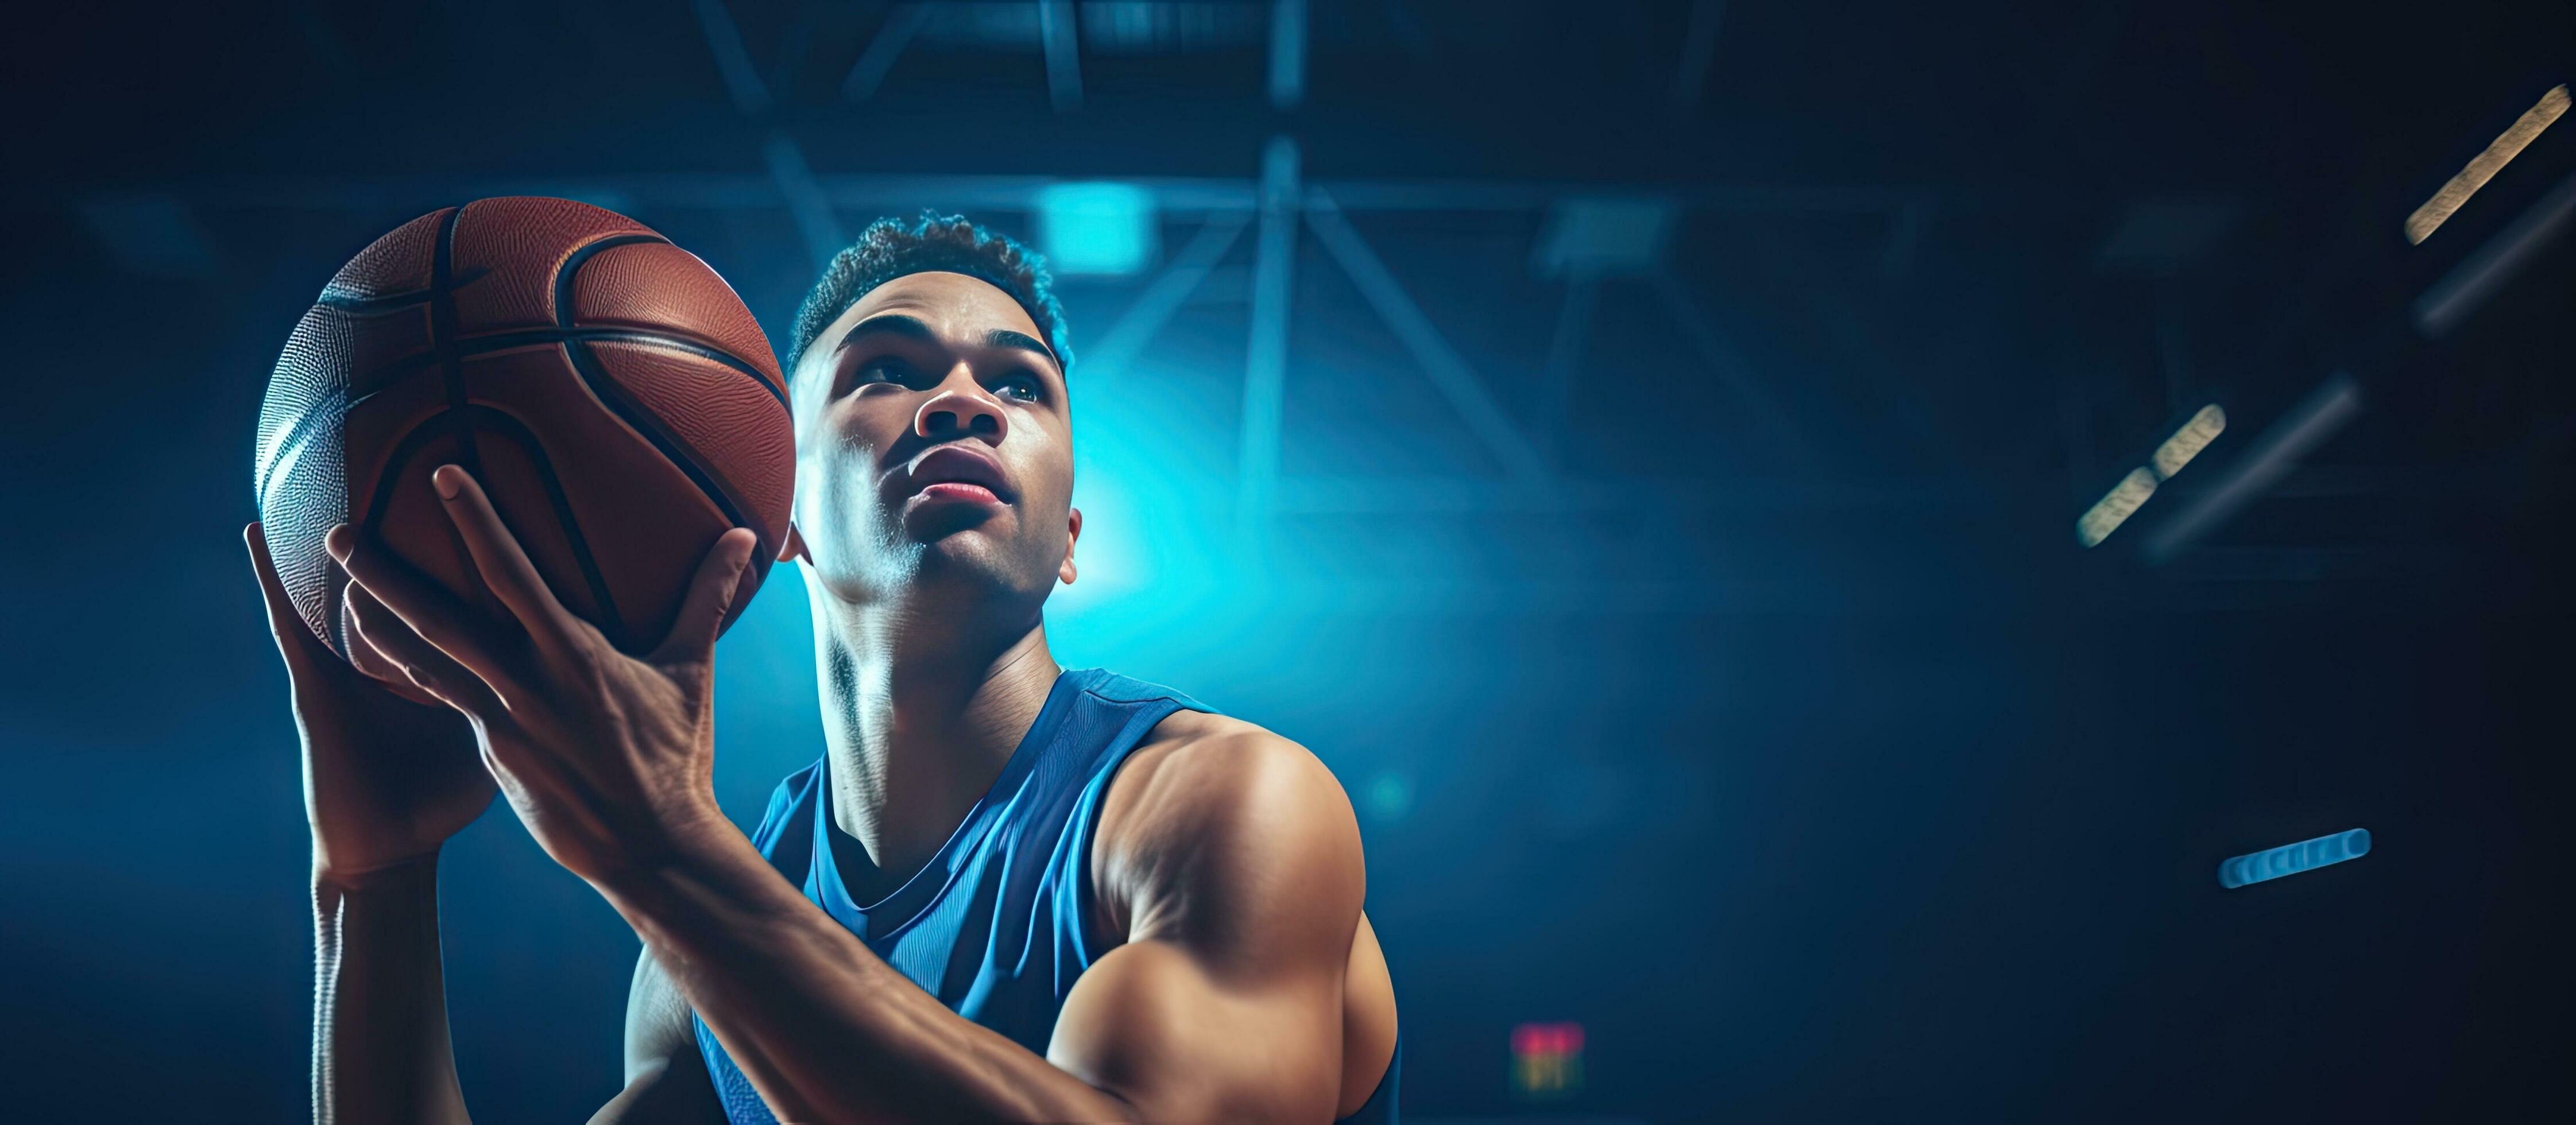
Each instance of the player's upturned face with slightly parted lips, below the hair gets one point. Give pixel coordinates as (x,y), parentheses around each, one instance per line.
(934,447)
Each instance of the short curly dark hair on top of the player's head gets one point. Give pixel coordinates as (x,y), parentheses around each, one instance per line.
(934,243)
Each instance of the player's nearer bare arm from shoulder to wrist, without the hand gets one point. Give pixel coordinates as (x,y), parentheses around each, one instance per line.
(1235,869)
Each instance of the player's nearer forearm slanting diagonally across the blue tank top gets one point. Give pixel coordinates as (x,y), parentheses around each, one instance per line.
(823,1028)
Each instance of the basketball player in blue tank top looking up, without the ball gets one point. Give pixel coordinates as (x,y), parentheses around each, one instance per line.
(1006,892)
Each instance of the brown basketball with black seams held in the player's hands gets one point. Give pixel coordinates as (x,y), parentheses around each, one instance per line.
(607,387)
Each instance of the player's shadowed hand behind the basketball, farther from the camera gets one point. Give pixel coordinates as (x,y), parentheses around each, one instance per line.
(388,781)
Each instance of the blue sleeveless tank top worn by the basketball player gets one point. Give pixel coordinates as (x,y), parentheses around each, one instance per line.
(993,923)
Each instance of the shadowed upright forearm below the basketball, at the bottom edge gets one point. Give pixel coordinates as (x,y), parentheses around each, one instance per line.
(380,1000)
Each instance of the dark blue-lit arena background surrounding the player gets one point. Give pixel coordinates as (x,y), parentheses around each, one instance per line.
(1784,738)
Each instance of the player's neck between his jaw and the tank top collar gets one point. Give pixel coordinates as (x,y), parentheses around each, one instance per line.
(918,720)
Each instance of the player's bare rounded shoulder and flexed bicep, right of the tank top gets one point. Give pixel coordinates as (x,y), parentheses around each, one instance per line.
(1240,874)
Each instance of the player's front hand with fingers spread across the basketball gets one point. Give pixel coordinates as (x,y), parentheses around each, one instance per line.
(604,756)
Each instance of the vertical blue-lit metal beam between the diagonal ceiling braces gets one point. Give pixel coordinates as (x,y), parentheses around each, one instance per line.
(1266,354)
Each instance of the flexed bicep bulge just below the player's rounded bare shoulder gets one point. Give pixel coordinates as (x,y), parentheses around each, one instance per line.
(1155,1028)
